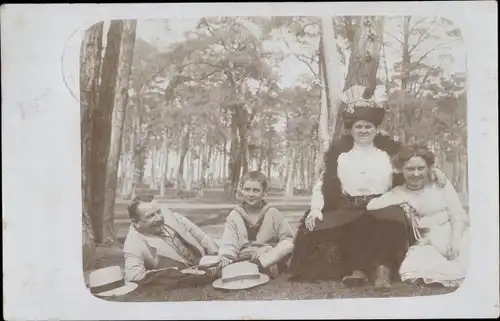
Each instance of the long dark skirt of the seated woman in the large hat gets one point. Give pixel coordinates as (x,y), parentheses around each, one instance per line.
(371,239)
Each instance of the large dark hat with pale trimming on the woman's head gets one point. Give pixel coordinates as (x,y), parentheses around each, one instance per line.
(360,105)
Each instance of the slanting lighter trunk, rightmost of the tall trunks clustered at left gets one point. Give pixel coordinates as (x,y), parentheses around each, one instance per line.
(125,53)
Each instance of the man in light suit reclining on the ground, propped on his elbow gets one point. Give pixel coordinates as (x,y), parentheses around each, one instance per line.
(159,240)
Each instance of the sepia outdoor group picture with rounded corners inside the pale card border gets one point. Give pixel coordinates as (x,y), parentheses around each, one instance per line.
(274,158)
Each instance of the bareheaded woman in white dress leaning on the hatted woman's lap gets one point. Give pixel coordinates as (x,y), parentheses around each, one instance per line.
(439,222)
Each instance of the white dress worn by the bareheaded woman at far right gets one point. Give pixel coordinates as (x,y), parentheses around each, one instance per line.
(434,212)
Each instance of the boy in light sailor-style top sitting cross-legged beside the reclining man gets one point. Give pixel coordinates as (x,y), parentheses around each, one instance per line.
(256,230)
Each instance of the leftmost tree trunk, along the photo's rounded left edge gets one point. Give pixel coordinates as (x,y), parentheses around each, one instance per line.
(90,57)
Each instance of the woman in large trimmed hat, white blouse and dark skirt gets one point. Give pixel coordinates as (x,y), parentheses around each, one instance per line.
(346,241)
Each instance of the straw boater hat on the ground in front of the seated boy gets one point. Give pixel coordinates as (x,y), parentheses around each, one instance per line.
(239,276)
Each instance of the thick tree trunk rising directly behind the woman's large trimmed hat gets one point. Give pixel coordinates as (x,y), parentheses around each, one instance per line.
(364,58)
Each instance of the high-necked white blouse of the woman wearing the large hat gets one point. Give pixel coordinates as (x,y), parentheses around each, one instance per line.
(364,171)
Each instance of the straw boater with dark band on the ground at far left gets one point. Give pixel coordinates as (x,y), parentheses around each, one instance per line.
(109,281)
